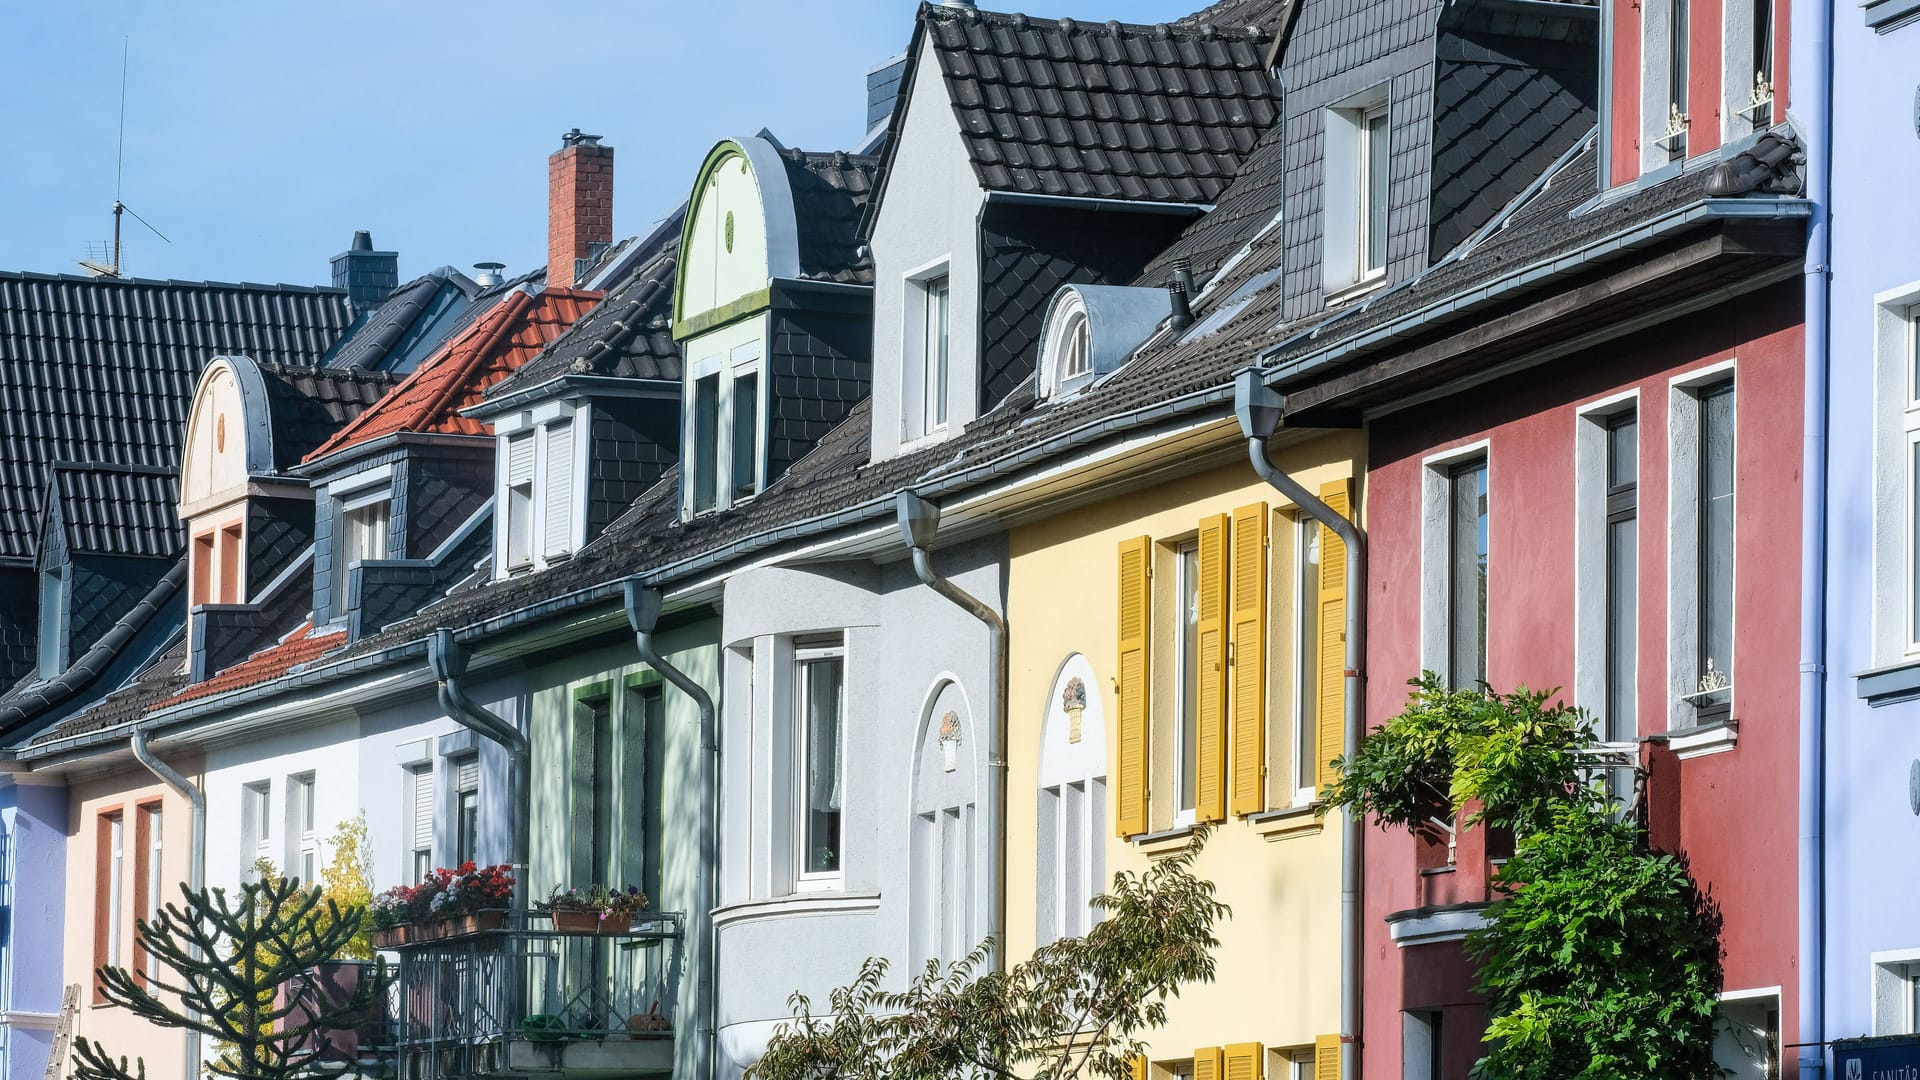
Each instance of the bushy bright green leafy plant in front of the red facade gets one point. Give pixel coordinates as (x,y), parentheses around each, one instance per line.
(1600,958)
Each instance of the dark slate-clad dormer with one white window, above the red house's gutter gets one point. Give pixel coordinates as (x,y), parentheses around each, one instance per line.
(1412,126)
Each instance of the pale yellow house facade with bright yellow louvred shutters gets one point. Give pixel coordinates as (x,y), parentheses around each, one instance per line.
(1274,862)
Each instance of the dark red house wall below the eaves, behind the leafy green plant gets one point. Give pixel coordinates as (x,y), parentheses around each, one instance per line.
(1733,812)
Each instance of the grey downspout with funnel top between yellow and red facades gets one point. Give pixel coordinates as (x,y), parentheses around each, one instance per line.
(1259,408)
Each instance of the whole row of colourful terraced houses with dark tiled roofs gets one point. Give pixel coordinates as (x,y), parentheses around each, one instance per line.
(890,545)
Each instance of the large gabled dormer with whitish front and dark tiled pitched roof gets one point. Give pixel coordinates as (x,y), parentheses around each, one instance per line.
(1026,155)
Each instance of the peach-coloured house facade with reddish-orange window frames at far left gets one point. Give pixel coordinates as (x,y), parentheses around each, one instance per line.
(155,833)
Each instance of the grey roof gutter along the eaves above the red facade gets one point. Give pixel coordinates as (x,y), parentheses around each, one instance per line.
(1537,274)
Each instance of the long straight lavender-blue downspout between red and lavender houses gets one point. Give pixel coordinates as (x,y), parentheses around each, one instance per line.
(1819,285)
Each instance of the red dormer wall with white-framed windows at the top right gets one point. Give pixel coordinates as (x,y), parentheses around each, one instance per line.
(1689,78)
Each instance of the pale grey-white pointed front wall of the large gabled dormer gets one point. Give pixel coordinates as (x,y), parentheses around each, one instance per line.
(926,276)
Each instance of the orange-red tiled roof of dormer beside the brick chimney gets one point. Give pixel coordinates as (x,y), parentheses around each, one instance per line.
(460,372)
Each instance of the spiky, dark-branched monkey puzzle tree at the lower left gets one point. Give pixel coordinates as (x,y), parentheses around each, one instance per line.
(220,971)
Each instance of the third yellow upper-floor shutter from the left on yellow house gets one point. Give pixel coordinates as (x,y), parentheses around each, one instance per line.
(1251,658)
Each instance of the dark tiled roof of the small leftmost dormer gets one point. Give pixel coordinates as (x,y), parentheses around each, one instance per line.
(120,510)
